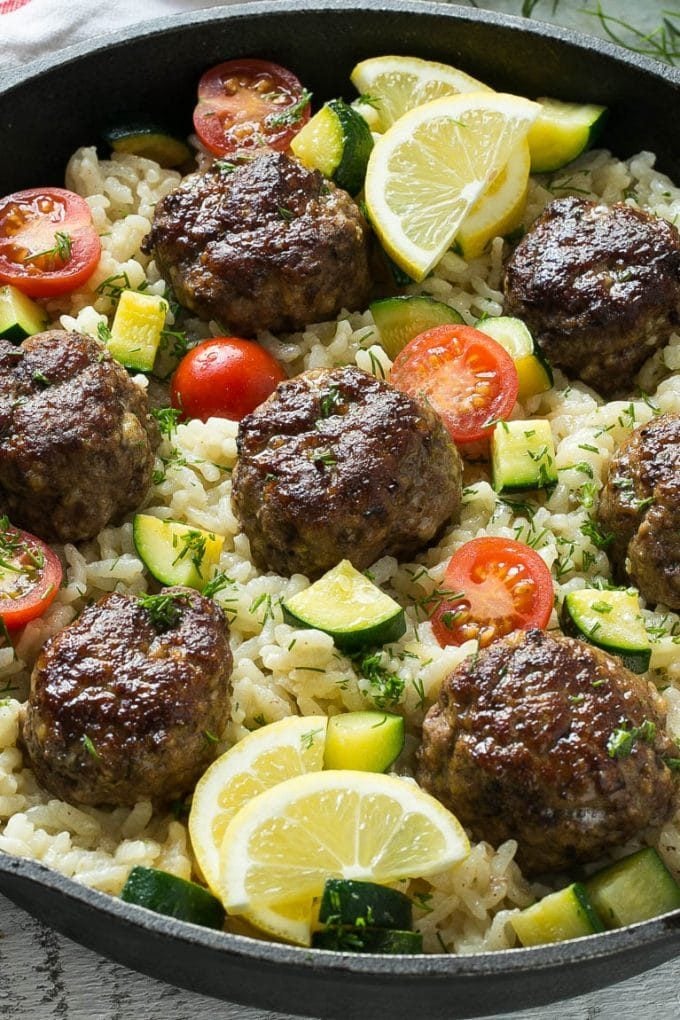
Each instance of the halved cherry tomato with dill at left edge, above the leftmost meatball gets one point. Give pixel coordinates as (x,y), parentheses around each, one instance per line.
(48,243)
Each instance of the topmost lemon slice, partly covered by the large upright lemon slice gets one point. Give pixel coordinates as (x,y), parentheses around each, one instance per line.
(396,85)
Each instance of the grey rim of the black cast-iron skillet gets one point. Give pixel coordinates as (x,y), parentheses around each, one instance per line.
(499,963)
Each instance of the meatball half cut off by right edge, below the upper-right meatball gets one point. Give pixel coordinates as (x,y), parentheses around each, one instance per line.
(640,507)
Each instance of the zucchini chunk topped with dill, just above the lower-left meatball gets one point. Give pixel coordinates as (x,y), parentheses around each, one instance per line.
(176,553)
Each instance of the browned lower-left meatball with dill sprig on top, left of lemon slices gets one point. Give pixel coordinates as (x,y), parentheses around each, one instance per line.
(126,704)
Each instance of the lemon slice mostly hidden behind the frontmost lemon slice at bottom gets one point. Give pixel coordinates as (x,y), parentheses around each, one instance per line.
(265,758)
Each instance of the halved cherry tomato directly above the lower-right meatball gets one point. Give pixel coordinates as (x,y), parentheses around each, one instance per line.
(498,586)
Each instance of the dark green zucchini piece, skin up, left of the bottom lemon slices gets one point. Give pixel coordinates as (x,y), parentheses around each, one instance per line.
(166,894)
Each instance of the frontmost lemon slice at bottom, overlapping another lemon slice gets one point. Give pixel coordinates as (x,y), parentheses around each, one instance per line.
(284,845)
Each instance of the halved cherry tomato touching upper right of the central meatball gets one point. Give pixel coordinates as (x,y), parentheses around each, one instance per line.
(470,381)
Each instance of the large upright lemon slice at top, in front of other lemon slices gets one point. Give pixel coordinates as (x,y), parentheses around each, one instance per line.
(430,169)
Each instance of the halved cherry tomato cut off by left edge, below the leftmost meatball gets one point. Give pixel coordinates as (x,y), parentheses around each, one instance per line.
(30,576)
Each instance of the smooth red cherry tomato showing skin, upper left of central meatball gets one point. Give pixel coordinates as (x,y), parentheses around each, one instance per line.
(225,378)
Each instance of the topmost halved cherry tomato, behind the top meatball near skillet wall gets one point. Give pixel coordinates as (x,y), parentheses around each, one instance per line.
(245,105)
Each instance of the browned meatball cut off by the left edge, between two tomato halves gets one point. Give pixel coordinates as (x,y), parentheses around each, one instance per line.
(77,442)
